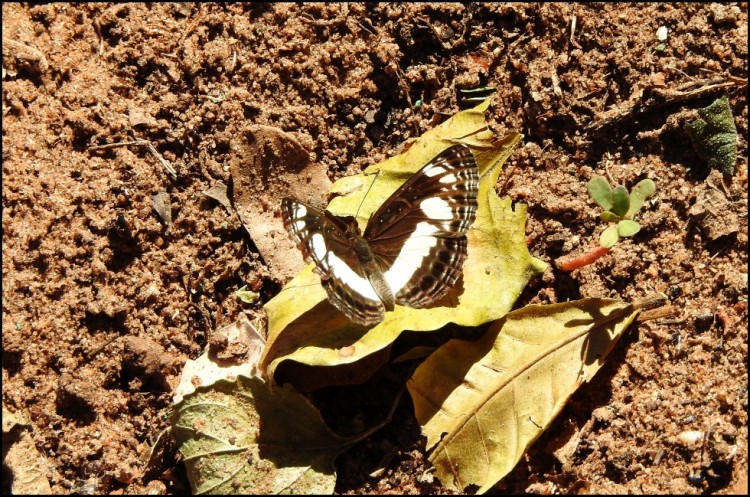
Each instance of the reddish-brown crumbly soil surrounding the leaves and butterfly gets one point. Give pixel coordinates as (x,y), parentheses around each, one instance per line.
(102,304)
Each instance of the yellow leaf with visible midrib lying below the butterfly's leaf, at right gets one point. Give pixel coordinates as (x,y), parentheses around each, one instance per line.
(482,404)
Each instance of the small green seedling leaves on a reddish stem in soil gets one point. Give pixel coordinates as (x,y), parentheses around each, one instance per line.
(619,207)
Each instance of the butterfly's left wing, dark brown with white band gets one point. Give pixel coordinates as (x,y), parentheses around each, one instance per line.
(322,238)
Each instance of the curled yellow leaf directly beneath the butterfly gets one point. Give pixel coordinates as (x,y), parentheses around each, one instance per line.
(304,327)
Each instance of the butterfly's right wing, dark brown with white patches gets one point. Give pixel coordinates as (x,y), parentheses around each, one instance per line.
(419,233)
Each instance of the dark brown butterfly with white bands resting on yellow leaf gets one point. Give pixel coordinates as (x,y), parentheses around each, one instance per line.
(413,248)
